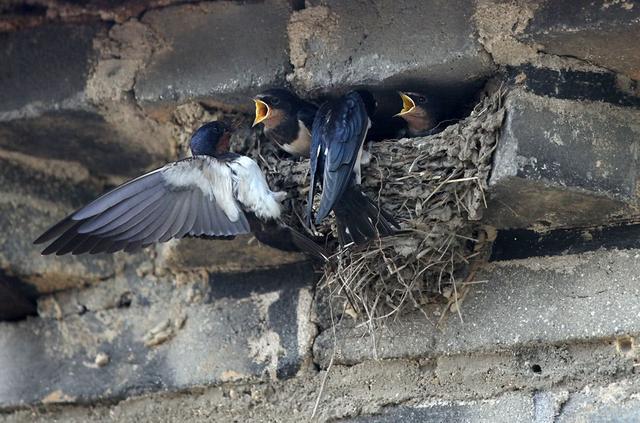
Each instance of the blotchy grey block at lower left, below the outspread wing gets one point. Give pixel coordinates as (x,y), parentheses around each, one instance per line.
(247,327)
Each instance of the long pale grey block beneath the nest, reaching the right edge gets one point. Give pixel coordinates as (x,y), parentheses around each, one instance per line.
(532,302)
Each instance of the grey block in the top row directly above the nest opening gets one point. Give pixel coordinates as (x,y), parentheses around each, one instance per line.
(336,44)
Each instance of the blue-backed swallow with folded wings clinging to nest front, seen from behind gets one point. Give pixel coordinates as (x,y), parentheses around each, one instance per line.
(339,130)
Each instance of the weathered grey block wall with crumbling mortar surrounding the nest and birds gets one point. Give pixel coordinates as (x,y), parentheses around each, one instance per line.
(94,92)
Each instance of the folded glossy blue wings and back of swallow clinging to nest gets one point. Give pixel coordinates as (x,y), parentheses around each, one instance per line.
(338,131)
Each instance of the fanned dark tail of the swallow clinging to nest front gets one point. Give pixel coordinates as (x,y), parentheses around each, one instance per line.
(359,219)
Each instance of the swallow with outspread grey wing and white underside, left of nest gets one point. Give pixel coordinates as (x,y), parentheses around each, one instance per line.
(214,193)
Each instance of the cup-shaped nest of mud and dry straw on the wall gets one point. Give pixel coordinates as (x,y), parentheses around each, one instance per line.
(435,187)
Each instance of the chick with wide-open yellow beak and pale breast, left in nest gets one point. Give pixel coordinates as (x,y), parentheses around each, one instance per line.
(287,120)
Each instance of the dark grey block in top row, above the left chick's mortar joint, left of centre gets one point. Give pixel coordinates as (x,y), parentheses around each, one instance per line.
(201,60)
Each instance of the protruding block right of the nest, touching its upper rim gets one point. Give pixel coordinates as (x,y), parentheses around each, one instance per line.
(563,163)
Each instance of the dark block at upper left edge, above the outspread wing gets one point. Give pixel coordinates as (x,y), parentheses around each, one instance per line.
(47,109)
